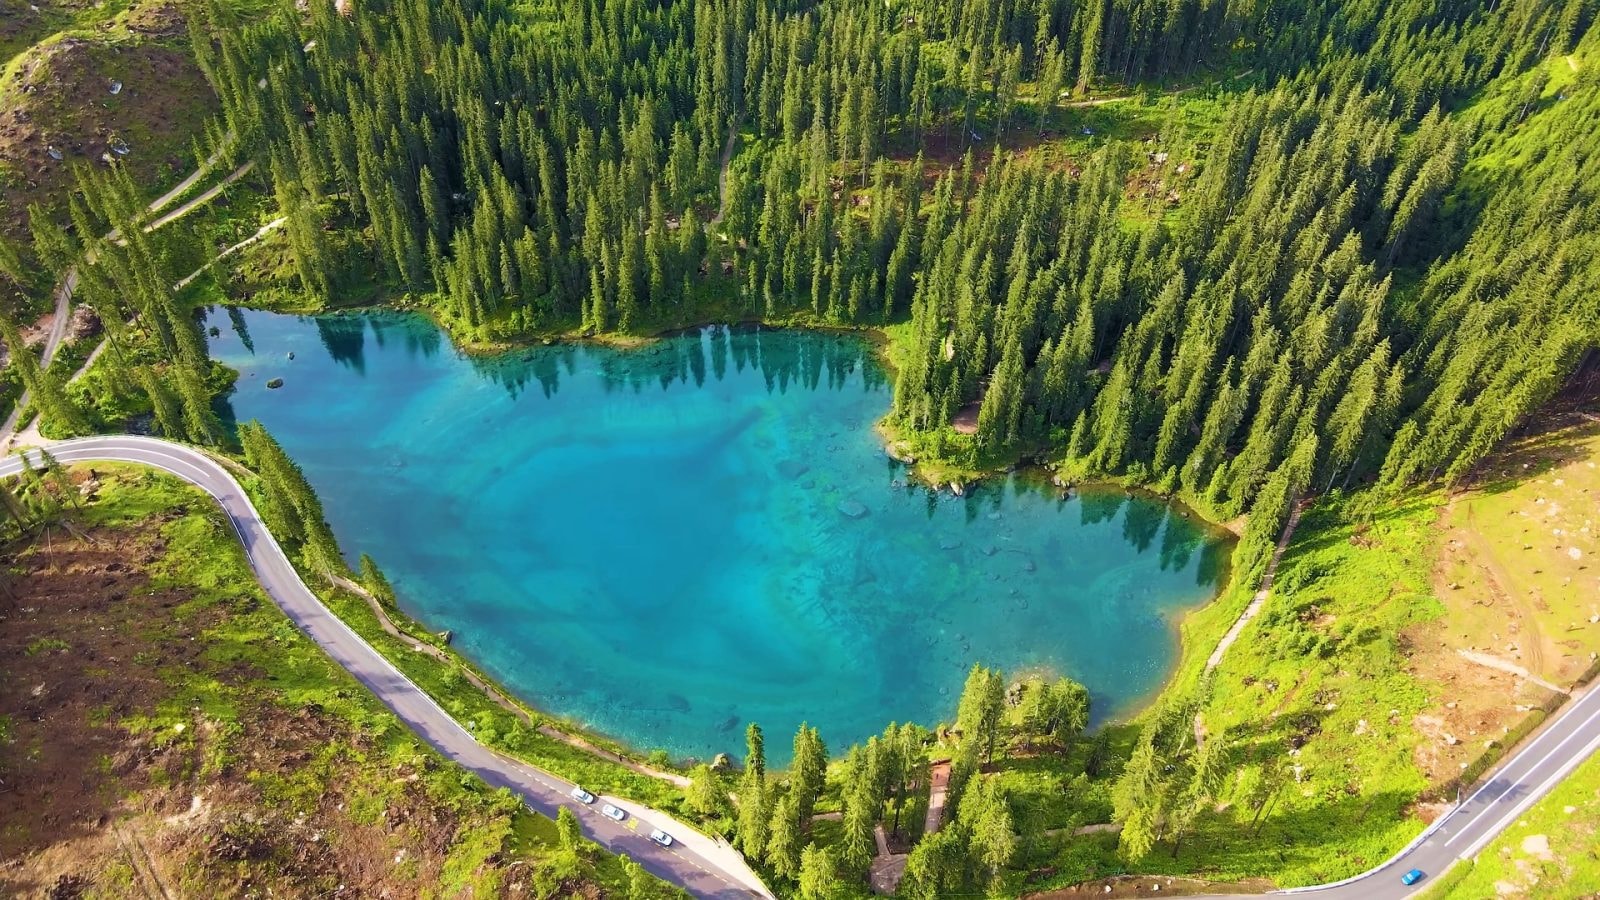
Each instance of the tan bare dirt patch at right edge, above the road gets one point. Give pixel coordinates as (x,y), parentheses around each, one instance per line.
(1516,569)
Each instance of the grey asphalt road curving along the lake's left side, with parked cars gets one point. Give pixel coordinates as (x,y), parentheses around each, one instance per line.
(543,792)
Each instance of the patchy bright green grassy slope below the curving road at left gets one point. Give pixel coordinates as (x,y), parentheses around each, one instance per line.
(198,733)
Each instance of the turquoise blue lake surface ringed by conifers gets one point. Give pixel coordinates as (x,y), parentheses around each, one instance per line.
(673,542)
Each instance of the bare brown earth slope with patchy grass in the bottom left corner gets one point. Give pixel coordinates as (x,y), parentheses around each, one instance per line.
(98,800)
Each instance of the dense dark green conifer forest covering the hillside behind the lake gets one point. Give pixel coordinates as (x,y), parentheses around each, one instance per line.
(1362,276)
